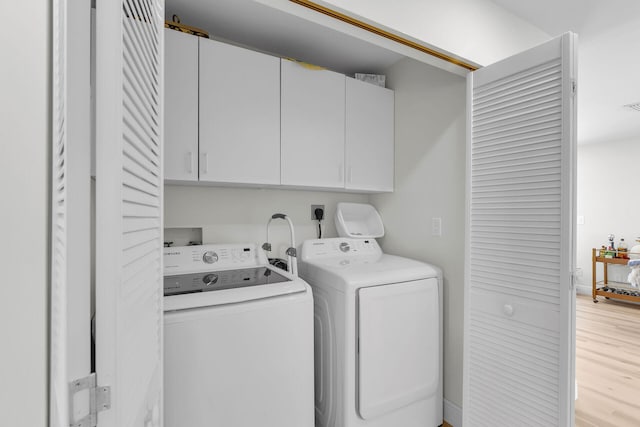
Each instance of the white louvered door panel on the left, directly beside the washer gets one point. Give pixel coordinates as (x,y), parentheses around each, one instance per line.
(129,210)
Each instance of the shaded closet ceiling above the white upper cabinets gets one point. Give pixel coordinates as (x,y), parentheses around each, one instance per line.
(249,23)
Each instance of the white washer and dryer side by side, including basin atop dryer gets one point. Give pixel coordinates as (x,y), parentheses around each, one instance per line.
(240,334)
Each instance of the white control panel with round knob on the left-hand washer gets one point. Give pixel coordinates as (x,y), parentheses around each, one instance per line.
(181,259)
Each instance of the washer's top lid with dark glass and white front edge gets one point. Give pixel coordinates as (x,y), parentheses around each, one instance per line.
(228,287)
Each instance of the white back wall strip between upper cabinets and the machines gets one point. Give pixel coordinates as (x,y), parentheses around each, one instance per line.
(240,215)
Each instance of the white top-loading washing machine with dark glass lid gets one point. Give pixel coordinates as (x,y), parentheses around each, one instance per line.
(238,340)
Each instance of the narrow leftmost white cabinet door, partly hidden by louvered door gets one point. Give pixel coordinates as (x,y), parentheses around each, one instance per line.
(181,106)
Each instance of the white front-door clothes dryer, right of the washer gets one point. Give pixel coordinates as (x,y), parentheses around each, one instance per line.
(378,335)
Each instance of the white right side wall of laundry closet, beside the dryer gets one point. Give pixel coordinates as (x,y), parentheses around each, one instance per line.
(430,182)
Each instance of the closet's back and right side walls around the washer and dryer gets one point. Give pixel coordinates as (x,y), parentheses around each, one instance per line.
(430,171)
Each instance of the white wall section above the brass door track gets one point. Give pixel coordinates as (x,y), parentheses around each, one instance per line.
(476,30)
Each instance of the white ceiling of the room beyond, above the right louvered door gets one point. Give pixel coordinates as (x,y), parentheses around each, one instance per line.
(608,60)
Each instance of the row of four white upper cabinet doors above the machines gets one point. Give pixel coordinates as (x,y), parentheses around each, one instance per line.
(236,116)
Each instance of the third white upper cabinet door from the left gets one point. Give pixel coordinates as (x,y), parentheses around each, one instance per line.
(313,105)
